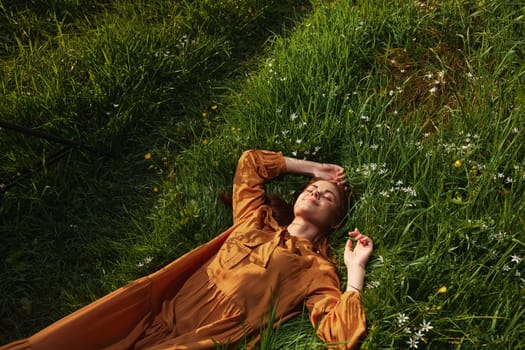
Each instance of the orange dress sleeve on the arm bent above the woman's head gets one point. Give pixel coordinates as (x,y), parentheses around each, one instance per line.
(254,168)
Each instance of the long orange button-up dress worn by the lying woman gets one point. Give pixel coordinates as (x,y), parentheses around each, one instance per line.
(221,292)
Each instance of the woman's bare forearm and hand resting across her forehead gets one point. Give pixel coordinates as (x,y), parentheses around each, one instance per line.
(330,172)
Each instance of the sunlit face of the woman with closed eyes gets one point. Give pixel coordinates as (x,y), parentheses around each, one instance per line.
(319,204)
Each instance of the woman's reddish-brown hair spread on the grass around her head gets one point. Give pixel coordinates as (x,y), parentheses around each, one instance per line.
(283,212)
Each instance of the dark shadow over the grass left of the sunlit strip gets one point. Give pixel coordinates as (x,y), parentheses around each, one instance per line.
(67,229)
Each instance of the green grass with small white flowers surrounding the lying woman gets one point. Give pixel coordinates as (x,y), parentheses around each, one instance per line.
(397,92)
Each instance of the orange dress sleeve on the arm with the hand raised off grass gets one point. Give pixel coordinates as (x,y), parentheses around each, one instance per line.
(338,317)
